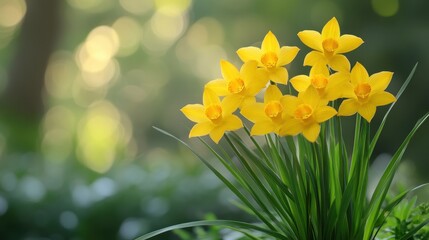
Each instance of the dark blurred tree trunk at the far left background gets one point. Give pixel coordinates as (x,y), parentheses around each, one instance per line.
(22,101)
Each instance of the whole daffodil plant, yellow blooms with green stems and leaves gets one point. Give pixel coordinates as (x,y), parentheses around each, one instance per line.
(294,171)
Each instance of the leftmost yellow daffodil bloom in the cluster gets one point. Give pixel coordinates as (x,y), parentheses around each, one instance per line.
(212,118)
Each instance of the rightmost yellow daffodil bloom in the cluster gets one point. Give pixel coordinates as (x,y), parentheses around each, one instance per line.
(366,93)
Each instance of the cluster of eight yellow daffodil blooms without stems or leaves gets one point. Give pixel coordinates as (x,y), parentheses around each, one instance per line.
(330,78)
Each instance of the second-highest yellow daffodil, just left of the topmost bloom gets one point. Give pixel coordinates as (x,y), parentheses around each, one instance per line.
(270,57)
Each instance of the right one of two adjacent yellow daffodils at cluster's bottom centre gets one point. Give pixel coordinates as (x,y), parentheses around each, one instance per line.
(303,114)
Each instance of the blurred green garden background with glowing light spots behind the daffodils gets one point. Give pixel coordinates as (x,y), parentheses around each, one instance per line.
(83,82)
